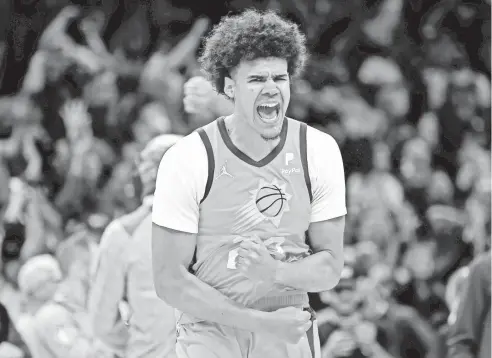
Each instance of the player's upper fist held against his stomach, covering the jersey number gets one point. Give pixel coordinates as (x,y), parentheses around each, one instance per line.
(255,262)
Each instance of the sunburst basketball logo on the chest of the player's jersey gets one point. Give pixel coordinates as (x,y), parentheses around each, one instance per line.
(268,202)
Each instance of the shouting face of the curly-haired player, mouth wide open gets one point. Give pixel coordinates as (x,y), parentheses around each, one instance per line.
(261,94)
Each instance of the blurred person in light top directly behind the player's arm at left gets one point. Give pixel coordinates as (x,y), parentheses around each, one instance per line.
(124,275)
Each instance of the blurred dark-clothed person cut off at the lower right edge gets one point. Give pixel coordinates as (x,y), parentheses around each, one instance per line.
(469,334)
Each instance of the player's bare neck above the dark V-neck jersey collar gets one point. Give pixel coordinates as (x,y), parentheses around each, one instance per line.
(247,139)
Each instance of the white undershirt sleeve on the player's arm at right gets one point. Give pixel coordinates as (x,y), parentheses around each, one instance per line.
(327,176)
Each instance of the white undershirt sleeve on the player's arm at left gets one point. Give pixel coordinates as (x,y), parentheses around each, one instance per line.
(180,185)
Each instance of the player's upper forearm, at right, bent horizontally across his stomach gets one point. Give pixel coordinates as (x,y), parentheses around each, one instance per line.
(316,273)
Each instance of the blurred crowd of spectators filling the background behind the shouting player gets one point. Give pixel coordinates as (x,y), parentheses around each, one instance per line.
(403,86)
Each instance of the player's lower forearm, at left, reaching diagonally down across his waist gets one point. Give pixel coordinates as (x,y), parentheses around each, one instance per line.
(192,296)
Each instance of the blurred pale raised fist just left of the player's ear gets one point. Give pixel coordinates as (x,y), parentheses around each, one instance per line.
(199,96)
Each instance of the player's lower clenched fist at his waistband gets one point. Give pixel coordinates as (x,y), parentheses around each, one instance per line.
(289,324)
